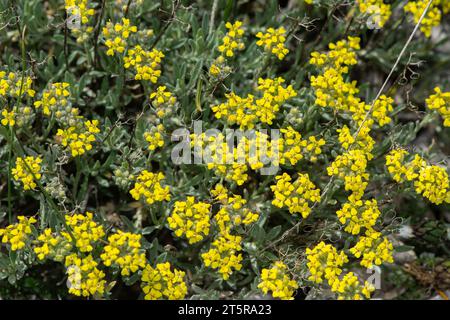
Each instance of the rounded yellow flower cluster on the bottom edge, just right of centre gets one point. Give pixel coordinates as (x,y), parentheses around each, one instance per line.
(278,282)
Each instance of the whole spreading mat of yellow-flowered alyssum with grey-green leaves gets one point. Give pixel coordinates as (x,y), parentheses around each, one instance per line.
(88,186)
